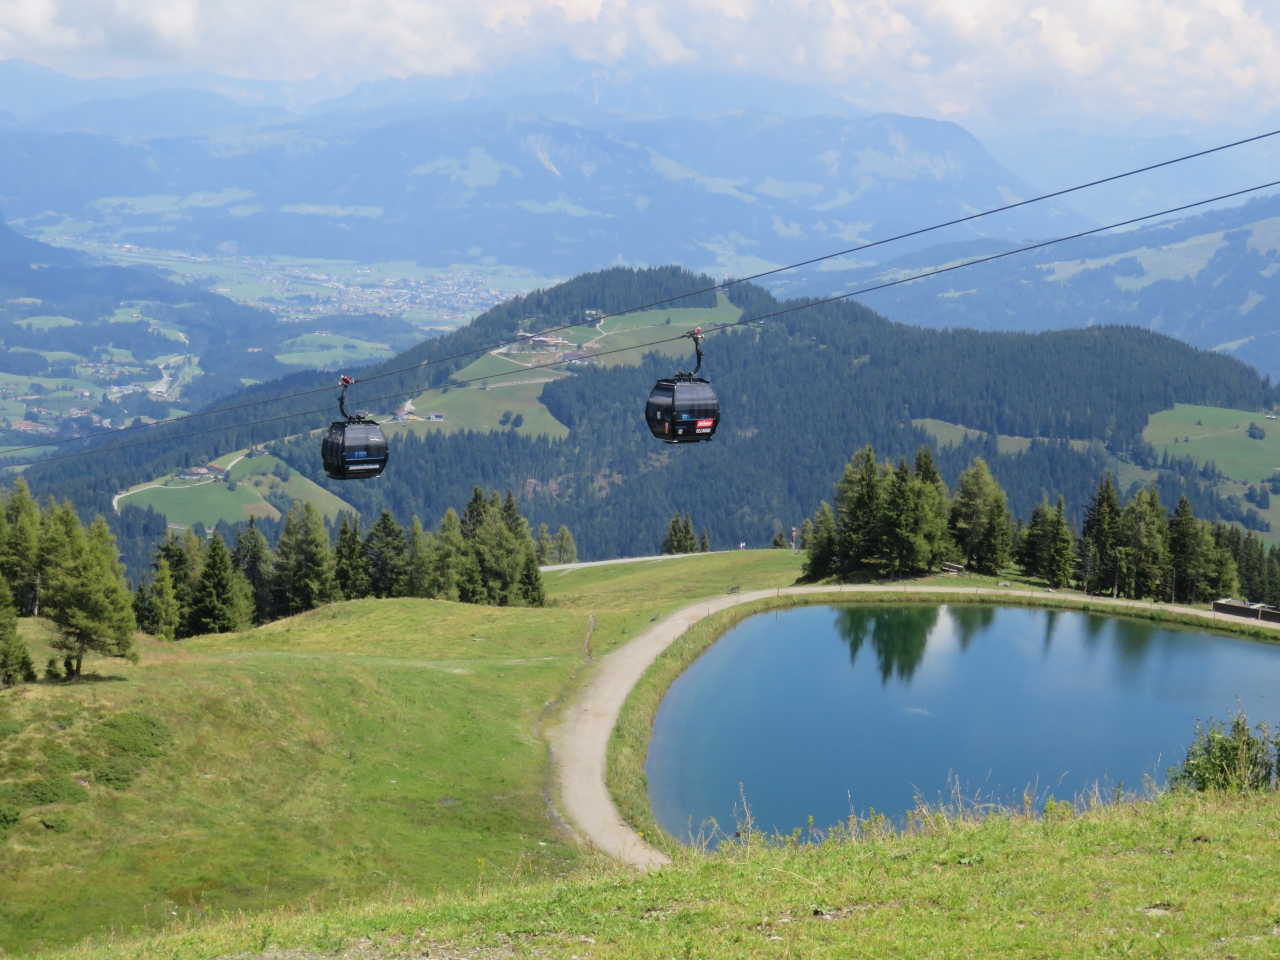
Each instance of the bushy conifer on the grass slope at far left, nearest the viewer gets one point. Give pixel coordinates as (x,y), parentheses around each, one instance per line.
(89,601)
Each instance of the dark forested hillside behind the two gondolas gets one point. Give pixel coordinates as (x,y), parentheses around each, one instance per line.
(799,395)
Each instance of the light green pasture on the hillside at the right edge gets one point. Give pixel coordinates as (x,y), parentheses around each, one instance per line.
(1219,435)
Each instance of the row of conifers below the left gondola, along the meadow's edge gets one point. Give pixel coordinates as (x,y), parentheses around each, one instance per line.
(484,556)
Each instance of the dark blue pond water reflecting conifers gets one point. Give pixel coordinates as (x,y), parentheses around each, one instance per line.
(830,711)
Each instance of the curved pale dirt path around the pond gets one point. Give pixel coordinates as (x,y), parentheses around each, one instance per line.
(580,743)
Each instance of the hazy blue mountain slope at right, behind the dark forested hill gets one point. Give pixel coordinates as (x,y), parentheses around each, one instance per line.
(1213,281)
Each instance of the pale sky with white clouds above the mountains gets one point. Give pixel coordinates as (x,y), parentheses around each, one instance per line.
(1103,63)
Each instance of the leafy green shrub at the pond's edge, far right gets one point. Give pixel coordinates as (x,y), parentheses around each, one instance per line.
(1228,757)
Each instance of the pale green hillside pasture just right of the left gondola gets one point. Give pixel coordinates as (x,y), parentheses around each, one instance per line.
(473,409)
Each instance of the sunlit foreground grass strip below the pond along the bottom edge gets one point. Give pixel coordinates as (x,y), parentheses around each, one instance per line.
(1185,877)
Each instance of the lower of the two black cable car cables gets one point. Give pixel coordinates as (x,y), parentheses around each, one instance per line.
(761,318)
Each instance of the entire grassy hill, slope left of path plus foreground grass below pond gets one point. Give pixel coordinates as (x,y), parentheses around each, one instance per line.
(371,778)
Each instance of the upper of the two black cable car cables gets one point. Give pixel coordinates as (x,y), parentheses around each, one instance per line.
(706,290)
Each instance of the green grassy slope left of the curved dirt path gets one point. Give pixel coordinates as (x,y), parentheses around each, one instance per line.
(330,756)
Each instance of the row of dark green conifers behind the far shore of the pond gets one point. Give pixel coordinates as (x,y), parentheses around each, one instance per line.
(902,520)
